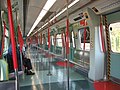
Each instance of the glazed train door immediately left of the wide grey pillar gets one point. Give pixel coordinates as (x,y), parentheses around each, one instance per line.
(85,47)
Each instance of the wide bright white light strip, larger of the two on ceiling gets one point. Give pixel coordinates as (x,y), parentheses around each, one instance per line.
(45,9)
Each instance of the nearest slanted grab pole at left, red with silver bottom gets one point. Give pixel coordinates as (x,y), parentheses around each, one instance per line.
(13,44)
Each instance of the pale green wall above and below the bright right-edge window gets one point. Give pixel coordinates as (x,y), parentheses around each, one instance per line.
(115,57)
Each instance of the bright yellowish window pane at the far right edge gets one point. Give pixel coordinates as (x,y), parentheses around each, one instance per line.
(115,37)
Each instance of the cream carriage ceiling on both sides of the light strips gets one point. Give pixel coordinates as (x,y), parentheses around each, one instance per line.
(28,11)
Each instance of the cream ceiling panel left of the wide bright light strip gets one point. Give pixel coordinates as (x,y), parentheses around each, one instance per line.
(34,8)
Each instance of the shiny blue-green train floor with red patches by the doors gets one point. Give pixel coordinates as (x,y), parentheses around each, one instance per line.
(50,74)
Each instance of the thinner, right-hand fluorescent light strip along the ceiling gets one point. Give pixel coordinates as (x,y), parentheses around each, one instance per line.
(73,3)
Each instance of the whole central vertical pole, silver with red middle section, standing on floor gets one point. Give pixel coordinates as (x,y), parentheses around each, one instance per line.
(67,45)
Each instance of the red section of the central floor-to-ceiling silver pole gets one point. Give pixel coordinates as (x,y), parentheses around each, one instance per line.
(67,36)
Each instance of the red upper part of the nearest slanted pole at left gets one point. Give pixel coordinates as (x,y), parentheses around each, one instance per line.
(12,36)
